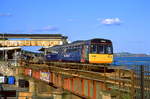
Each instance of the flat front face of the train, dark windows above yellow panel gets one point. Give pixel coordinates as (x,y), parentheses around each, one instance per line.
(101,53)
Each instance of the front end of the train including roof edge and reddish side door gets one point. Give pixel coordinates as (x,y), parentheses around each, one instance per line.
(97,51)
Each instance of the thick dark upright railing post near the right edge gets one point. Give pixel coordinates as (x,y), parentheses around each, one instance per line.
(142,82)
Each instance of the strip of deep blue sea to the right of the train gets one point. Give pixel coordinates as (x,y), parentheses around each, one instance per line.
(131,61)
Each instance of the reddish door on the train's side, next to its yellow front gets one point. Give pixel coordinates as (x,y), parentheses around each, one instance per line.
(84,53)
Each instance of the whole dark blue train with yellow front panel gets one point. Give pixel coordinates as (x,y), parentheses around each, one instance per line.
(95,50)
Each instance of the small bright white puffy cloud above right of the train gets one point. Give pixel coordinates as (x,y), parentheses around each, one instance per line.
(111,21)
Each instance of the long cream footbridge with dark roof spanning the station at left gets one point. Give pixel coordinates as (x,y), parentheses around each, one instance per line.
(33,40)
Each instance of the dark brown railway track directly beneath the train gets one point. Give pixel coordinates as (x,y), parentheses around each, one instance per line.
(78,66)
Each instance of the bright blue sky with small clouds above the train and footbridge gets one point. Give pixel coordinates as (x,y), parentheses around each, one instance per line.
(125,22)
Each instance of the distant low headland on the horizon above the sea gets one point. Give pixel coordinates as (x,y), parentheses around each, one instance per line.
(127,54)
